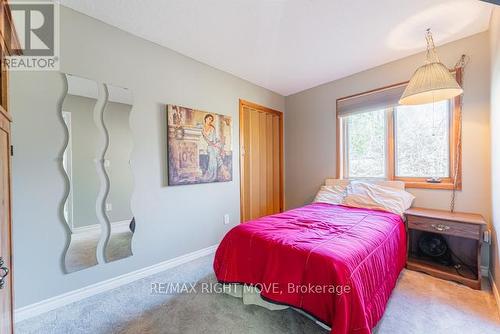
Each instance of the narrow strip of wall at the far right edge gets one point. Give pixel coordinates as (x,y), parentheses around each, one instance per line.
(495,142)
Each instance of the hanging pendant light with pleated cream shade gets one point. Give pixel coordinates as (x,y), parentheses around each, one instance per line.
(431,82)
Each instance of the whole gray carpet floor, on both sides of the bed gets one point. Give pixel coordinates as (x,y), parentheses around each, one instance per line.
(420,304)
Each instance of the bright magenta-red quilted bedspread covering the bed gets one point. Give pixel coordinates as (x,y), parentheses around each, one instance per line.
(337,263)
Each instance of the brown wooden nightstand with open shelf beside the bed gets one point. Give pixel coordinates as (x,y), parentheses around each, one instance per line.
(463,233)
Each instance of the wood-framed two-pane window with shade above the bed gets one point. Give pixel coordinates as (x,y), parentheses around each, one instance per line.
(379,139)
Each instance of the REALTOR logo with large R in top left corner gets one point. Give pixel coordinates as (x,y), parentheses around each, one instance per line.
(37,29)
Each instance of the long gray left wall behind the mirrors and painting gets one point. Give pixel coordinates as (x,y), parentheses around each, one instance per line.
(171,221)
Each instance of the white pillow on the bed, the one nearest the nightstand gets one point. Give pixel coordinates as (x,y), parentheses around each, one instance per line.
(374,196)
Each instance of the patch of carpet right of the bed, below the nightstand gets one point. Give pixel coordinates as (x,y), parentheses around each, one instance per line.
(424,304)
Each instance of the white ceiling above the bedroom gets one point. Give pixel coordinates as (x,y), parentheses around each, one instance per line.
(291,45)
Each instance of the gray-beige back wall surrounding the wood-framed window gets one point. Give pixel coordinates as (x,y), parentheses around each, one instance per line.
(310,151)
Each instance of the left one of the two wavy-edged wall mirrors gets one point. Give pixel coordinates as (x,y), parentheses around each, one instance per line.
(79,163)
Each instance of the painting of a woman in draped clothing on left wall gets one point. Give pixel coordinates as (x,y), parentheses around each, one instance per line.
(199,146)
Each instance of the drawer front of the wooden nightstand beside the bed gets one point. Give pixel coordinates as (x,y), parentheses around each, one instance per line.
(447,227)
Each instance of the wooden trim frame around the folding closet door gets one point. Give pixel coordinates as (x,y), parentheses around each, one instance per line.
(251,105)
